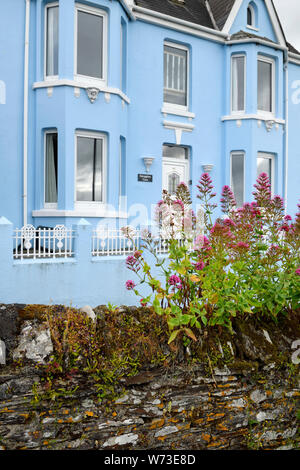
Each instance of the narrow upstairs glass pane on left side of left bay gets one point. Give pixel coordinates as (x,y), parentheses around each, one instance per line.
(52,42)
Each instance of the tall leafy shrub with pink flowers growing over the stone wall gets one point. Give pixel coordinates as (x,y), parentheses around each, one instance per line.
(243,264)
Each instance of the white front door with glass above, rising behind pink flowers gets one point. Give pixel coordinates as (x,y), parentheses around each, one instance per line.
(175,168)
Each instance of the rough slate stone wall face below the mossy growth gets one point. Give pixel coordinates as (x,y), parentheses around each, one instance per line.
(252,405)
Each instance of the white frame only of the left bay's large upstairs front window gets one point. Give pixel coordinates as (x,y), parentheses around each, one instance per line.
(103,14)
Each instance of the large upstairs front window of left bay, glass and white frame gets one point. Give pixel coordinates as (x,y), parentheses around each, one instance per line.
(90,57)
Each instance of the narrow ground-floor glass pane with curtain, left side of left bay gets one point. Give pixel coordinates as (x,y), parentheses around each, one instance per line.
(51,168)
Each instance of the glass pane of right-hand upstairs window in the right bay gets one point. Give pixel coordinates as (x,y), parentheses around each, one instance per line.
(264,86)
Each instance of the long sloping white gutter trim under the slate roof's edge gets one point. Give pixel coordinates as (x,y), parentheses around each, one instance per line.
(171,22)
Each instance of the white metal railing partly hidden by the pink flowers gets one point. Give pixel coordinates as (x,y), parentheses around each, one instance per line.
(112,242)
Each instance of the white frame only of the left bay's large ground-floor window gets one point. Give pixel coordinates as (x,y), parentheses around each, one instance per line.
(91,204)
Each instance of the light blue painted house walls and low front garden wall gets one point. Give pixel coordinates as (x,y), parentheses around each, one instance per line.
(138,119)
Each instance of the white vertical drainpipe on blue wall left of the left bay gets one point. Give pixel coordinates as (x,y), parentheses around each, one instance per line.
(25,128)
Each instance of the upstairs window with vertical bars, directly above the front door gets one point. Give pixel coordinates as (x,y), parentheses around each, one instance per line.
(175,75)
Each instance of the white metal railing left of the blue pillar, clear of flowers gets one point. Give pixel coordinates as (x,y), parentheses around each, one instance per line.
(31,242)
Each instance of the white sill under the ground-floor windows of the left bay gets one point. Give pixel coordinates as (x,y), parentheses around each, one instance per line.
(84,212)
